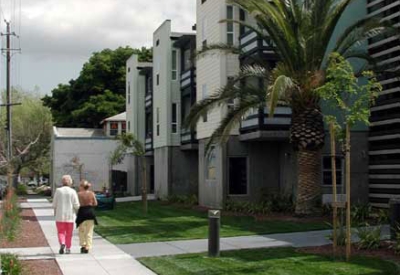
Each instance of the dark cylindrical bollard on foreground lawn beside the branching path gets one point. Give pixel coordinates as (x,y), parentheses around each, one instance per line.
(214,223)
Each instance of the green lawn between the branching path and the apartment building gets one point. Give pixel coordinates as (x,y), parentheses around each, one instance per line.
(127,224)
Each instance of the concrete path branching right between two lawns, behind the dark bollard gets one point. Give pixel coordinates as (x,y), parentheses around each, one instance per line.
(300,239)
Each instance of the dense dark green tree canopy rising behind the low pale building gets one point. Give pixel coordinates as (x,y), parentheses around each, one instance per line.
(97,93)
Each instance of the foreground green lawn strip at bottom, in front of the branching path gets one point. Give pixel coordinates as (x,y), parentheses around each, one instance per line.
(279,261)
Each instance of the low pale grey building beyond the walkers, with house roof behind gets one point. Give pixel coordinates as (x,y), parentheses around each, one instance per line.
(84,154)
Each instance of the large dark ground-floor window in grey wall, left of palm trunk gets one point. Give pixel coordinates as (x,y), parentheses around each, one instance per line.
(238,176)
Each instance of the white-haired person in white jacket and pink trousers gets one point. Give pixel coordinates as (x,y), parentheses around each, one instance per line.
(66,205)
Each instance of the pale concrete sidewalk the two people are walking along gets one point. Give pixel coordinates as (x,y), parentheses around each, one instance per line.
(106,258)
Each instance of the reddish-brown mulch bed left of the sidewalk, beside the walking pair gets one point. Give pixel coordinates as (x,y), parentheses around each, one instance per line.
(30,234)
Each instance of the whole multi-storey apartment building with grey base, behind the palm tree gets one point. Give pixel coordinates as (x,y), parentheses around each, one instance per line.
(258,157)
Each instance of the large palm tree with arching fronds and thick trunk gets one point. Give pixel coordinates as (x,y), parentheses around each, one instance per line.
(301,32)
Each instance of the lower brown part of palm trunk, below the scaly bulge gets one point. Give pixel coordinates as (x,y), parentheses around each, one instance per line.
(308,188)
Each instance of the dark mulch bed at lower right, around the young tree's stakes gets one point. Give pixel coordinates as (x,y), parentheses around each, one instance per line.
(384,253)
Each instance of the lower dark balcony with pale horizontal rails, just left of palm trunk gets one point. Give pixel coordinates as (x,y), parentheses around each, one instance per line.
(259,126)
